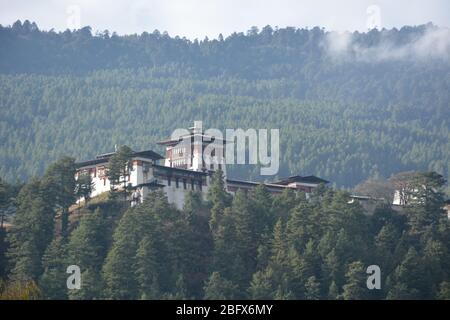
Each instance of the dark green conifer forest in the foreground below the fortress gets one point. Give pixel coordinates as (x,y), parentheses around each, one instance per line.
(254,245)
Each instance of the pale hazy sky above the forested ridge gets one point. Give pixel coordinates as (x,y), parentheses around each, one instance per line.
(200,18)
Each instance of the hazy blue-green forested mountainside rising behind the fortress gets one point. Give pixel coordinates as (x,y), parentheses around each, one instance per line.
(348,107)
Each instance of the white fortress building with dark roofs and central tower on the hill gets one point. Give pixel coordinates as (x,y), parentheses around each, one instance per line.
(184,168)
